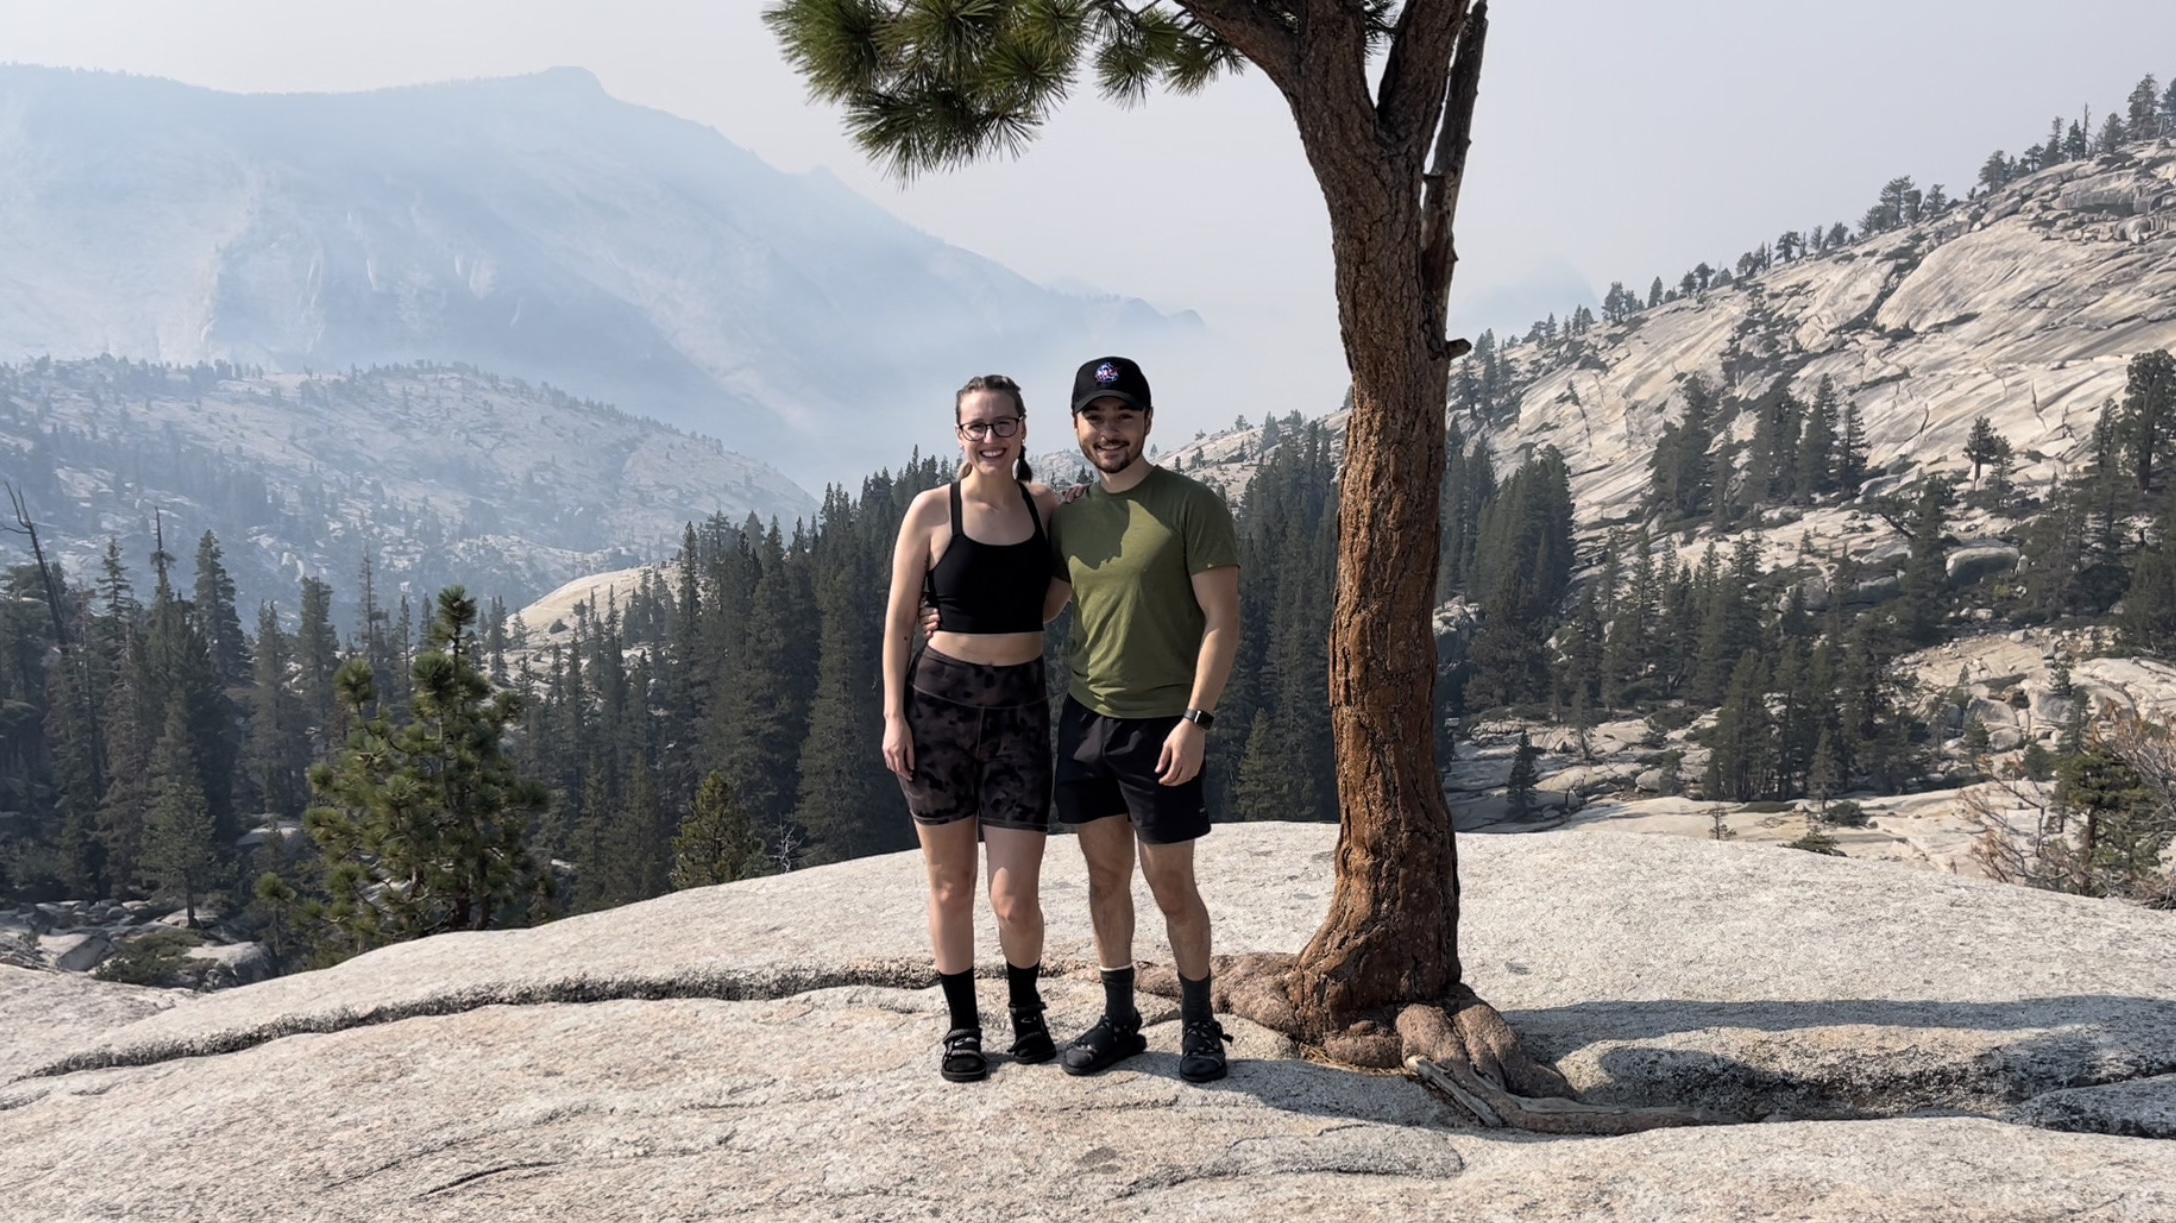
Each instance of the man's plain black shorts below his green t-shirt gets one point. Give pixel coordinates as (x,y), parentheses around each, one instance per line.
(1106,767)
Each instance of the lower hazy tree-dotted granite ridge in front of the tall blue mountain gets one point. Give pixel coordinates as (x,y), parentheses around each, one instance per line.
(434,473)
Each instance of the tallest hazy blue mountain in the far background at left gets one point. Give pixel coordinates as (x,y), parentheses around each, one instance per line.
(532,225)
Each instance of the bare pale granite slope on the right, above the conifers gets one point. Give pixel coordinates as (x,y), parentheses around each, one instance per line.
(2025,308)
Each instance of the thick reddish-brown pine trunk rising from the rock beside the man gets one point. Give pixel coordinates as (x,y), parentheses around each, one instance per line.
(1392,935)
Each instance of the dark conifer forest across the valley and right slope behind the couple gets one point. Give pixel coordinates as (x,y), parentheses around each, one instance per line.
(347,765)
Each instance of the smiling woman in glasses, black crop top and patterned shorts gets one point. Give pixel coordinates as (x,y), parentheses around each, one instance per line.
(967,721)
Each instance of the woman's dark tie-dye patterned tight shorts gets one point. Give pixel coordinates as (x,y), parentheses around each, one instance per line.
(982,743)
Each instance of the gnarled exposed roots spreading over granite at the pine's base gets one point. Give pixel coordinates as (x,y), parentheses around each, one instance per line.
(1459,1048)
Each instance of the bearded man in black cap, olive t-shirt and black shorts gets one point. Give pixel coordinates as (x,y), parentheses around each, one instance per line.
(1152,565)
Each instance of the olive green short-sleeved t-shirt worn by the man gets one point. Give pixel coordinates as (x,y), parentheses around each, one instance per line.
(1130,558)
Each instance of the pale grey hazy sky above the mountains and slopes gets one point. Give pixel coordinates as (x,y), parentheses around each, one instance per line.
(1614,140)
